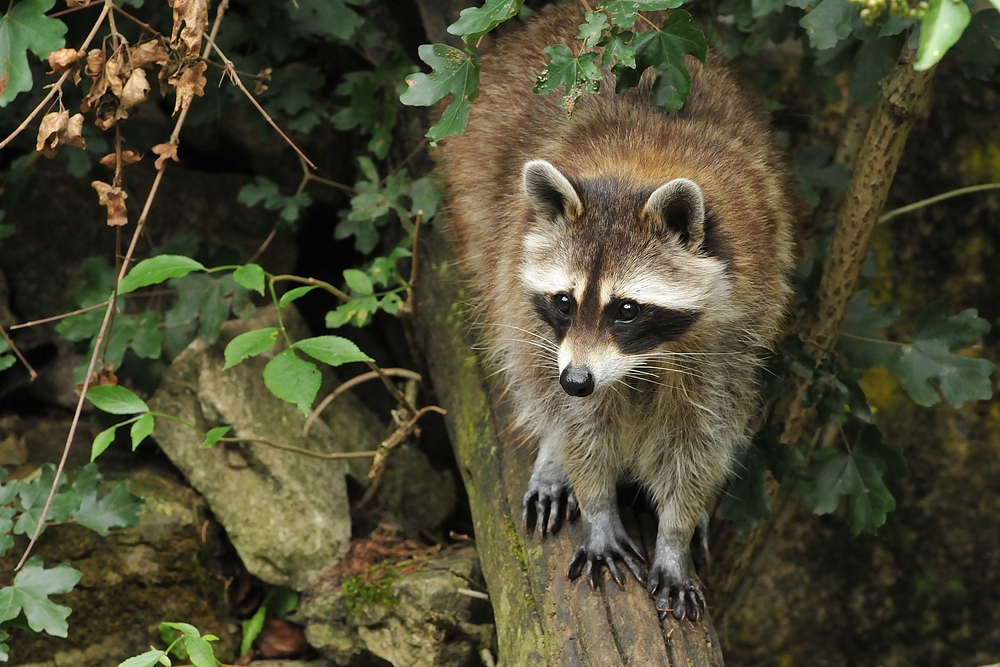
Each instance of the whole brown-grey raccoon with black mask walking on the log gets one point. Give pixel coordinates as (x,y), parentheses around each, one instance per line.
(629,267)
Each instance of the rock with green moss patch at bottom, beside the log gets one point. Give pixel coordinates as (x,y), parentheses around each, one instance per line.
(411,614)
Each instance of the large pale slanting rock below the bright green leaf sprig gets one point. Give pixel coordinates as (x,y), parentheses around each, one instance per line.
(286,514)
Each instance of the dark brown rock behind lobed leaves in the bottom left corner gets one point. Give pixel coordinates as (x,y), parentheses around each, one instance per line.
(165,569)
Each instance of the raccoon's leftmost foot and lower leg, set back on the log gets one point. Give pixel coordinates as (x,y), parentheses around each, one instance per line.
(549,498)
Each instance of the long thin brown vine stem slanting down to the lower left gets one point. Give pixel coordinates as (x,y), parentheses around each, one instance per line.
(126,260)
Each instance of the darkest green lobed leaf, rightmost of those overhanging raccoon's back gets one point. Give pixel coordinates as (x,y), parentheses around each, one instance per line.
(664,51)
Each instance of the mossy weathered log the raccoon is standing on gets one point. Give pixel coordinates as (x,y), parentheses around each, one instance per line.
(542,618)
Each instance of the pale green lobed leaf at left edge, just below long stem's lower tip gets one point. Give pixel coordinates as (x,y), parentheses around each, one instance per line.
(30,593)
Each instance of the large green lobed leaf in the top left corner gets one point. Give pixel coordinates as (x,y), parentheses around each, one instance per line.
(25,27)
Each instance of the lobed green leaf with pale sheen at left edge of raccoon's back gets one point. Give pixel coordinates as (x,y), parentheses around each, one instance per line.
(453,72)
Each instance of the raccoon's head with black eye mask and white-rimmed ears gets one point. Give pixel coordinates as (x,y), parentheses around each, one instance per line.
(617,274)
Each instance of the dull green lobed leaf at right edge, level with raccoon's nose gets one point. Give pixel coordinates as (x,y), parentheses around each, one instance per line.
(959,378)
